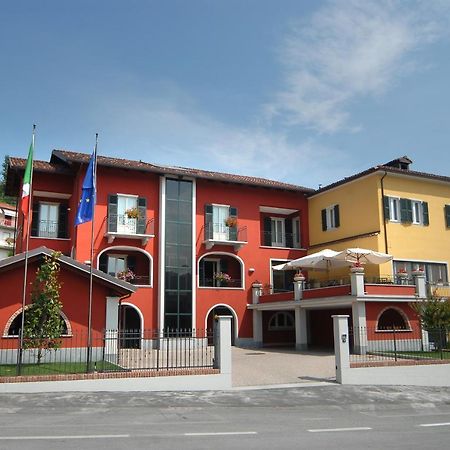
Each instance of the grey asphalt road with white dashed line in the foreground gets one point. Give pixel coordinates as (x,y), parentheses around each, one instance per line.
(328,416)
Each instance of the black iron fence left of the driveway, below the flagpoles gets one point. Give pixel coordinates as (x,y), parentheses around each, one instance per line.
(111,351)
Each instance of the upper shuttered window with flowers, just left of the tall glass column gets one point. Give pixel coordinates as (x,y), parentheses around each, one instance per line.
(127,214)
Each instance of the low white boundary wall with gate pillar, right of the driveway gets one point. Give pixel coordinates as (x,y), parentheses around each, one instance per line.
(417,375)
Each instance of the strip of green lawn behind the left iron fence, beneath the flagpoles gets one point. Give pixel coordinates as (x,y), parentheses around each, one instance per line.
(10,370)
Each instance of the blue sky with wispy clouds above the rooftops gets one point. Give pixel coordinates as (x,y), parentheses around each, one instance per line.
(305,92)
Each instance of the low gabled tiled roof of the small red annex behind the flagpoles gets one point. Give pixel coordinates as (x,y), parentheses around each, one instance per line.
(120,286)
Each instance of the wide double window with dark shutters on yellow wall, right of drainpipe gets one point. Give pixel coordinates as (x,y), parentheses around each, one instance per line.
(405,210)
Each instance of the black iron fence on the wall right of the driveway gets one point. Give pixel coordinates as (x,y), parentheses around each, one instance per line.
(398,345)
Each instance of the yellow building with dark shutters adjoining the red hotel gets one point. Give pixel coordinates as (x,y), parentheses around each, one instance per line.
(391,209)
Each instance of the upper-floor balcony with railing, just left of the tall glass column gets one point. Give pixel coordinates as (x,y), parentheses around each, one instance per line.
(122,226)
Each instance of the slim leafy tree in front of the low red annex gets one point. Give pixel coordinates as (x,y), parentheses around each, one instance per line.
(43,323)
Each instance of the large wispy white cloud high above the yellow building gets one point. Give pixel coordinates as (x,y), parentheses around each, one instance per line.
(351,49)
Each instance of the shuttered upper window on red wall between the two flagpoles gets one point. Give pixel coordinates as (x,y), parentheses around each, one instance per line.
(49,220)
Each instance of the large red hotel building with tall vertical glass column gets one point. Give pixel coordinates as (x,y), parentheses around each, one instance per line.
(193,241)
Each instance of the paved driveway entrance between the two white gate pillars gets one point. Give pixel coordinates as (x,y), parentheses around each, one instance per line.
(268,366)
